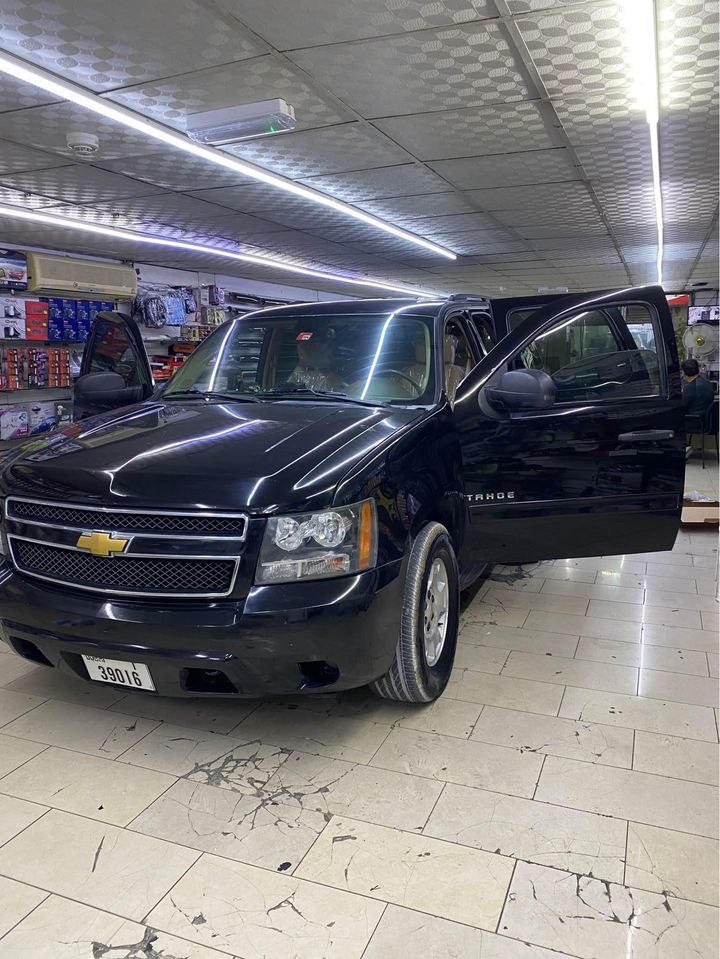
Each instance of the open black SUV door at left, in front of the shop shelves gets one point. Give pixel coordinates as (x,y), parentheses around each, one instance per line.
(115,369)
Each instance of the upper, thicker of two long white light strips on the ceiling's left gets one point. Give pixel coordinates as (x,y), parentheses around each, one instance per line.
(20,70)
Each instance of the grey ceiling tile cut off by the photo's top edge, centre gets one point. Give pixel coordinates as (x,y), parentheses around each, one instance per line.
(290,25)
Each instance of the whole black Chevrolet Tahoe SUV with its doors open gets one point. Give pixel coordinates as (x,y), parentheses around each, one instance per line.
(300,507)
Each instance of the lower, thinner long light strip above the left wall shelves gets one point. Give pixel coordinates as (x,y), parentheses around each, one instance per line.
(35,216)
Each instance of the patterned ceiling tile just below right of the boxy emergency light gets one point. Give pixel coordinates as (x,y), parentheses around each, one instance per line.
(336,149)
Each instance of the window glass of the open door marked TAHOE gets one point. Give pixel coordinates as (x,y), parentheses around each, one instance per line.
(595,356)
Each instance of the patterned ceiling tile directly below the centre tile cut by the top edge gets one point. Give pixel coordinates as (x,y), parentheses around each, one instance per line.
(467,66)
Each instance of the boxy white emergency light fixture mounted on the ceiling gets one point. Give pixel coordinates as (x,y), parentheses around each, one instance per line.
(244,122)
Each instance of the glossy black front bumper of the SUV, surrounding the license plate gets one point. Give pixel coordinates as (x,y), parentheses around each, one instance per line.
(299,637)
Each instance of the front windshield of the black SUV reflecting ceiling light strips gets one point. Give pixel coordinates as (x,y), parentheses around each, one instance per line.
(374,358)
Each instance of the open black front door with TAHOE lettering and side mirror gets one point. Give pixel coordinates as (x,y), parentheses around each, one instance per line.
(572,433)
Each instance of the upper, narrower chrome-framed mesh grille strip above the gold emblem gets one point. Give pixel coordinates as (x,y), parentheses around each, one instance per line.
(122,521)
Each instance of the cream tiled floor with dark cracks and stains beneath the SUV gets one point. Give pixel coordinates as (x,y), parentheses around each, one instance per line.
(560,799)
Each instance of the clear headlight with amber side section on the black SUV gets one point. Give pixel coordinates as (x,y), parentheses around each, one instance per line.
(334,542)
